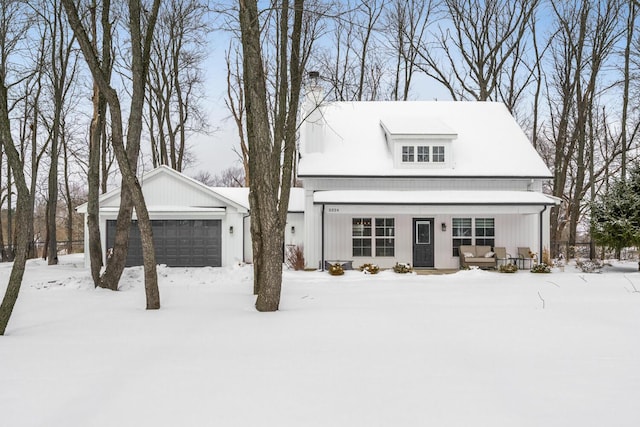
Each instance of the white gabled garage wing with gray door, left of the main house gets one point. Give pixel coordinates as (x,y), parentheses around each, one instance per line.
(193,224)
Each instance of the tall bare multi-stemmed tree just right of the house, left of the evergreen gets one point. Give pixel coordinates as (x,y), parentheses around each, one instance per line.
(586,33)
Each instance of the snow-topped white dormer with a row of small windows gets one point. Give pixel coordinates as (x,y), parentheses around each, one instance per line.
(419,142)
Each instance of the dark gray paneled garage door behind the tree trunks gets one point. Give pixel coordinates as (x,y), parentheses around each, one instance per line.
(178,243)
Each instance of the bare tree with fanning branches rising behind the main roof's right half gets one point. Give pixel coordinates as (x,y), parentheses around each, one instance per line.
(479,49)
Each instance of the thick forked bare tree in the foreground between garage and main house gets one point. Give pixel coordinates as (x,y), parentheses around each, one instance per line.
(271,150)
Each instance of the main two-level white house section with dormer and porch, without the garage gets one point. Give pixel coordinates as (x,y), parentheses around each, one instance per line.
(389,182)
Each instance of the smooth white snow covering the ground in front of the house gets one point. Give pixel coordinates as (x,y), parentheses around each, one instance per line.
(473,348)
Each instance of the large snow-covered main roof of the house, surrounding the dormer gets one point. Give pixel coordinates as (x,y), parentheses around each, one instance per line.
(489,141)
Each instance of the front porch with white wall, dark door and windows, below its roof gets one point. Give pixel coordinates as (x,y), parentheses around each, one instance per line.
(427,237)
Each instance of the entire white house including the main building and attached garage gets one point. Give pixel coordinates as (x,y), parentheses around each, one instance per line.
(384,182)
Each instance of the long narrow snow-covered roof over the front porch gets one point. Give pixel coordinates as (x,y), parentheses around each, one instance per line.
(450,198)
